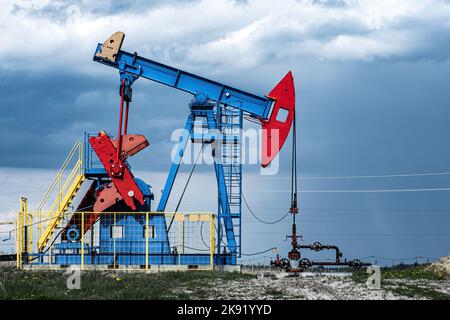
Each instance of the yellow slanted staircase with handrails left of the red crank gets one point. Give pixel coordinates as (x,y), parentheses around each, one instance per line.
(62,191)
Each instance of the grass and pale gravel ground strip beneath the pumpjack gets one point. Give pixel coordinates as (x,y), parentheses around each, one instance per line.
(415,282)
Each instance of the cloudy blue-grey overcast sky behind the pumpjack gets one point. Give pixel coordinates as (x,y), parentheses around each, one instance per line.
(372,81)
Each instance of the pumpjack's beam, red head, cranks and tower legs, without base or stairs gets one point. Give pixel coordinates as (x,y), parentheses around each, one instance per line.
(221,107)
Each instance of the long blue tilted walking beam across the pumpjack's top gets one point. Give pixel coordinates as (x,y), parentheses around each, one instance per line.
(256,106)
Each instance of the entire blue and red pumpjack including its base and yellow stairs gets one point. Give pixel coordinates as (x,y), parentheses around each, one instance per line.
(220,109)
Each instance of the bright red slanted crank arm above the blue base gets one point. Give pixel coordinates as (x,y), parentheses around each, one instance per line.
(123,182)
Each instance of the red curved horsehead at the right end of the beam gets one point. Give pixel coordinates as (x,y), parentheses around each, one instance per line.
(276,129)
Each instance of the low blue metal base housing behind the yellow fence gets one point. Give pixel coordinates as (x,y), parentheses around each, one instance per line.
(131,248)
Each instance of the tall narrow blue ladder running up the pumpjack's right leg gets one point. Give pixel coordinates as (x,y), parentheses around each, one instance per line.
(230,123)
